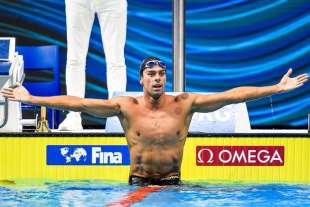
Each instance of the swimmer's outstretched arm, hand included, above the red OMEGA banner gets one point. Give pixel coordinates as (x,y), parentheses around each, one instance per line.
(212,102)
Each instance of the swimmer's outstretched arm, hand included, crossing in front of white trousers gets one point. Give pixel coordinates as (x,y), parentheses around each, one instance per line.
(97,107)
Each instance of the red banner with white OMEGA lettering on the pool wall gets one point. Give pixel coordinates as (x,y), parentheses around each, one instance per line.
(240,155)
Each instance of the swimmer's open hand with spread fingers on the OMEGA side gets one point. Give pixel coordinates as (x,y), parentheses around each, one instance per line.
(287,83)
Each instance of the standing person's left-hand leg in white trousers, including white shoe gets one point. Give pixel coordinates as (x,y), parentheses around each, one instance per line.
(80,18)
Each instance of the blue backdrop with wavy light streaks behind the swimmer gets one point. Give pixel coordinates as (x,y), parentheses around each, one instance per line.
(228,43)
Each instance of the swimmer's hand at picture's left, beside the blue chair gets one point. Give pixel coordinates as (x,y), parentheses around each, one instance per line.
(16,93)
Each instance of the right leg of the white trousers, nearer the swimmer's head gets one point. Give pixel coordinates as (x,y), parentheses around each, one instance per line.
(112,15)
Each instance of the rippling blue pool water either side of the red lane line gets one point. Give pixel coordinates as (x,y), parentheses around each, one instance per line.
(94,193)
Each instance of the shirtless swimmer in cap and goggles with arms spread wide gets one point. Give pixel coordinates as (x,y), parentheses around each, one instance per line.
(156,124)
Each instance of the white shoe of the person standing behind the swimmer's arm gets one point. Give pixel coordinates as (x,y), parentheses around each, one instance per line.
(73,122)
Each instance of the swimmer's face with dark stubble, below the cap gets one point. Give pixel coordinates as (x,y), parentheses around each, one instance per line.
(153,81)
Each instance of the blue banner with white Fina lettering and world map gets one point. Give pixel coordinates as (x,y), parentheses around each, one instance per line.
(87,155)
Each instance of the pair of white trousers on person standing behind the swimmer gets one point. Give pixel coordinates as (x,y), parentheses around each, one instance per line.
(112,15)
